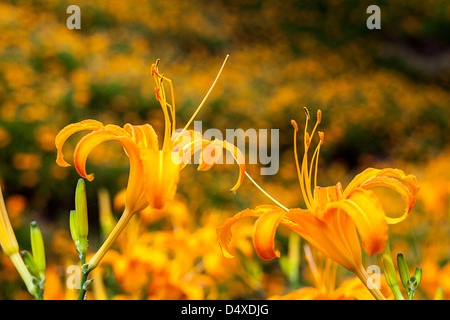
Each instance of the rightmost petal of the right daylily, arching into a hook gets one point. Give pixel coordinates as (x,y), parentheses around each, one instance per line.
(396,179)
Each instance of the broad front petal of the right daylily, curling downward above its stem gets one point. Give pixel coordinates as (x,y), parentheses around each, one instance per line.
(364,208)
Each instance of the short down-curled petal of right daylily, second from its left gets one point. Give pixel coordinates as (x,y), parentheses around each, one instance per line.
(264,233)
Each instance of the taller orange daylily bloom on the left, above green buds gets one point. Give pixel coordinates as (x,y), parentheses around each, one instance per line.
(154,172)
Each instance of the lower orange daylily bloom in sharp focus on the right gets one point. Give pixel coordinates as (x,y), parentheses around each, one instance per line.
(334,217)
